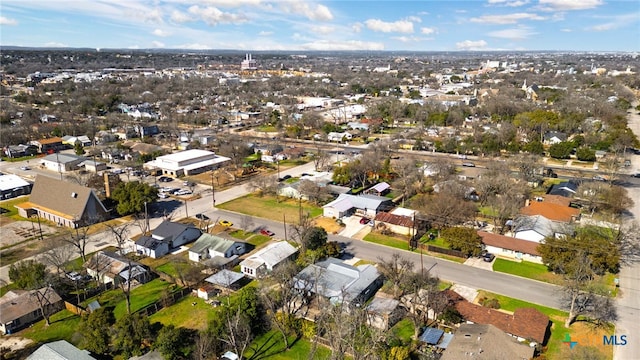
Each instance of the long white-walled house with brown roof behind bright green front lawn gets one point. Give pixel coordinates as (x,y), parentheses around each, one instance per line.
(510,247)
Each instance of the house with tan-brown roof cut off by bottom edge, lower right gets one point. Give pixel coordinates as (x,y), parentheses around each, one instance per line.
(484,341)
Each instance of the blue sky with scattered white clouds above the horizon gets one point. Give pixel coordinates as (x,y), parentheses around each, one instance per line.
(419,25)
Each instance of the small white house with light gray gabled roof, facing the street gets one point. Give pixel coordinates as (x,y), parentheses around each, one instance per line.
(267,259)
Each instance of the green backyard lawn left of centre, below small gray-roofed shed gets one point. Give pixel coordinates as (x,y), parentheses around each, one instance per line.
(185,314)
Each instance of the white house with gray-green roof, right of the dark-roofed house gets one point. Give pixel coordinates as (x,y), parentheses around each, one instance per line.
(219,249)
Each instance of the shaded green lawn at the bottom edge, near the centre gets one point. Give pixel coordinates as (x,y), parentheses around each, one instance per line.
(270,346)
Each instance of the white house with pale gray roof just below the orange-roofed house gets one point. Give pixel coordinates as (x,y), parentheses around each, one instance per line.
(537,227)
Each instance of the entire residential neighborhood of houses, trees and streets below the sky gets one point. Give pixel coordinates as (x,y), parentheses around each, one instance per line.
(277,206)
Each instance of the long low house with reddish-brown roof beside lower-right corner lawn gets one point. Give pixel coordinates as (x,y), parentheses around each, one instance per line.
(524,324)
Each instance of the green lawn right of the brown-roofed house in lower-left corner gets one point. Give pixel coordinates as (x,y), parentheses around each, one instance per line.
(64,324)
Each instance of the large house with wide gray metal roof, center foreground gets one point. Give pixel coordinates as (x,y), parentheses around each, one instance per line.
(338,282)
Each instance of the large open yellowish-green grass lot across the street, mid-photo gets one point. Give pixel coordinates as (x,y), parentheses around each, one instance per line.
(267,207)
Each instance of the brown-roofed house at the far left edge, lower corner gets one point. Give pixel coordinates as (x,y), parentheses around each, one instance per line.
(21,308)
